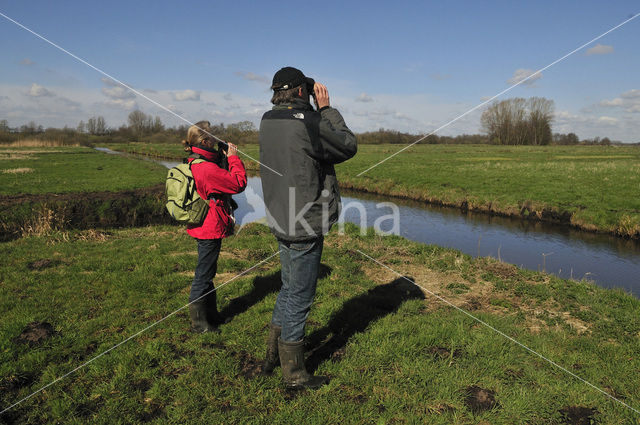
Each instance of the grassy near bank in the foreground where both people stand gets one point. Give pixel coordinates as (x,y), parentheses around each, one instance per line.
(394,353)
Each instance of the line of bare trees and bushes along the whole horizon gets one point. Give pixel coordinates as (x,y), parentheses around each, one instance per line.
(515,121)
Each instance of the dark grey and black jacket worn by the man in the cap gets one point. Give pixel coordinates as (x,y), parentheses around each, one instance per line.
(302,145)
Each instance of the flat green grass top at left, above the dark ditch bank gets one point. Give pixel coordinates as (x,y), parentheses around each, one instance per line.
(78,169)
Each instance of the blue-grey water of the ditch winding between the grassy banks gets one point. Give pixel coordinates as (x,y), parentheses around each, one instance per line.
(569,253)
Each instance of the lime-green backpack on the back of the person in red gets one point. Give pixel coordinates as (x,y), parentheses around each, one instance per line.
(183,202)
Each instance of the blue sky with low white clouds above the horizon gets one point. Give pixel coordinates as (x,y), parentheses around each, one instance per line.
(410,66)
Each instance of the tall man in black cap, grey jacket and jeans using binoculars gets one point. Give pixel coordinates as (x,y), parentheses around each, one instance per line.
(298,148)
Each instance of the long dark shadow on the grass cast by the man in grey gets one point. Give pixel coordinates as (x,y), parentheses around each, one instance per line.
(355,316)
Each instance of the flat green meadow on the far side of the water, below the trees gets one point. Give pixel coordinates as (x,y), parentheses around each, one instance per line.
(590,187)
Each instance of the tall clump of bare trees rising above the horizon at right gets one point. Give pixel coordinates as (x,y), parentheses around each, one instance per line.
(519,121)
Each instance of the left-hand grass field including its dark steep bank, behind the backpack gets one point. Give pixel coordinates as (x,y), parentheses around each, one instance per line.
(57,188)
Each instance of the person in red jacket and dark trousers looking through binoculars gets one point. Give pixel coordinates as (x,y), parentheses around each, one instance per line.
(215,183)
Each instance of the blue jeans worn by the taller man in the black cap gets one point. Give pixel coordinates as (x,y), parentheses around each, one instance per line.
(300,263)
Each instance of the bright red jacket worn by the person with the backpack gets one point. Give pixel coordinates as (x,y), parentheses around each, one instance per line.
(211,179)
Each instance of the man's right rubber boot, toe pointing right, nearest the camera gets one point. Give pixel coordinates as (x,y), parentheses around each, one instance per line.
(294,373)
